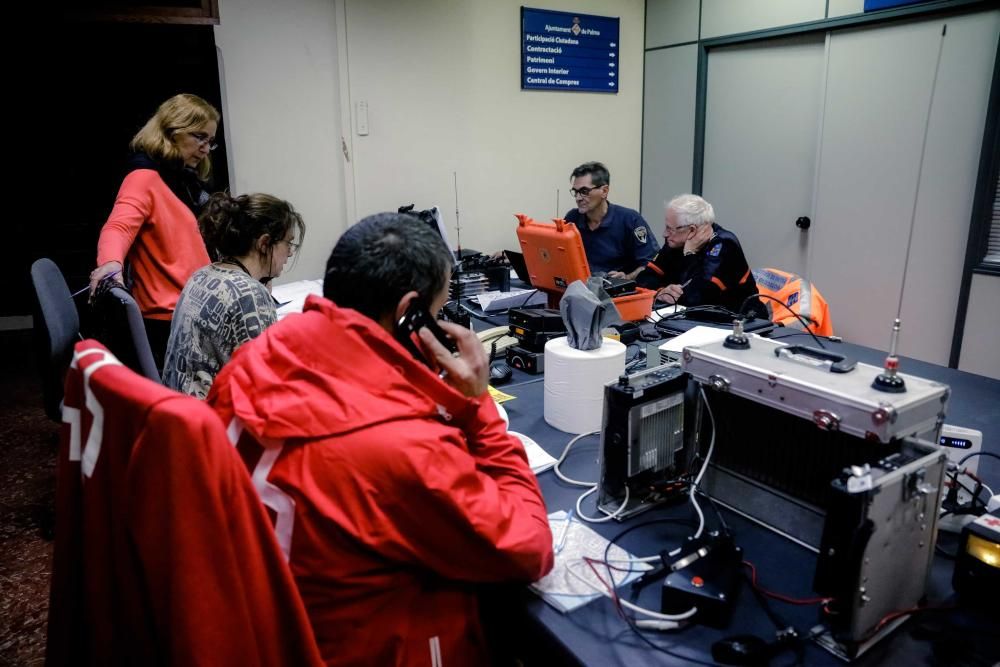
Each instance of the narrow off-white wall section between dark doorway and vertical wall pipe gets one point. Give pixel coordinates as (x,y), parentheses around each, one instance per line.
(281,109)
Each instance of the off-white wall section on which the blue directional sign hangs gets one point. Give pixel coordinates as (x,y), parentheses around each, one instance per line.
(442,82)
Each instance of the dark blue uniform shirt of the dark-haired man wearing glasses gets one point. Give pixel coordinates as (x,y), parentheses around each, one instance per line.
(623,241)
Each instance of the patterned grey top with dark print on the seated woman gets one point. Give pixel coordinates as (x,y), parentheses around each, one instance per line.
(220,308)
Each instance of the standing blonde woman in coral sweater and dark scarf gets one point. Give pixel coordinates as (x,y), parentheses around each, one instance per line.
(153,222)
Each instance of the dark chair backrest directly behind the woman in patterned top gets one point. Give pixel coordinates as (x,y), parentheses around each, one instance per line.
(121,328)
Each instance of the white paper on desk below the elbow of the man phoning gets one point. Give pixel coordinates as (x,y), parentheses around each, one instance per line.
(564,591)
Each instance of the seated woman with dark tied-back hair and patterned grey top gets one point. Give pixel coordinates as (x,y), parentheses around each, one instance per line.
(228,302)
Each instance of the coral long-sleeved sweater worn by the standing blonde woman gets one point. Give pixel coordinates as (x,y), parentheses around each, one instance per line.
(159,235)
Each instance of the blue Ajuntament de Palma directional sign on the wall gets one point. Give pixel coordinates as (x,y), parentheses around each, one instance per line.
(567,51)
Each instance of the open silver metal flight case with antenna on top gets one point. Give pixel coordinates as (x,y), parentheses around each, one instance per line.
(806,446)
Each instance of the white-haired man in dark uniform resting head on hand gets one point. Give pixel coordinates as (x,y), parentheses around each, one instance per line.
(701,263)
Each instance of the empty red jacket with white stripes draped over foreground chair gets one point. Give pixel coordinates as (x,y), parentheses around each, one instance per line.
(163,554)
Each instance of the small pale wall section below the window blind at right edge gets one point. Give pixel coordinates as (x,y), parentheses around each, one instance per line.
(981,341)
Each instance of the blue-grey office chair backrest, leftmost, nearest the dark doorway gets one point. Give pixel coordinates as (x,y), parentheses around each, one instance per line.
(57,328)
